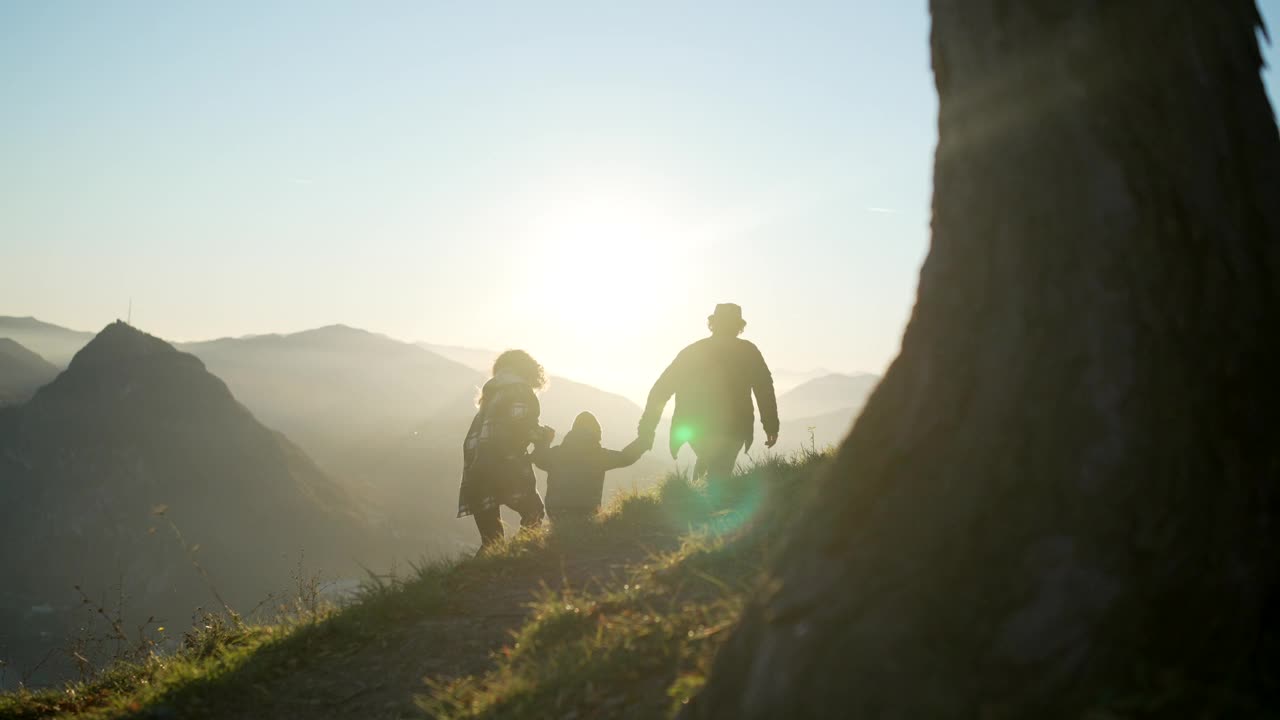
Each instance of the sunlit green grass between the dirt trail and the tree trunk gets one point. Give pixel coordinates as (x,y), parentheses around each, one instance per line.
(643,648)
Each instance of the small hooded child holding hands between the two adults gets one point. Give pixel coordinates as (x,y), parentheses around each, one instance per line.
(577,467)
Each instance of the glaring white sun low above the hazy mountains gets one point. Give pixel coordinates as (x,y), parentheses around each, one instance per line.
(610,279)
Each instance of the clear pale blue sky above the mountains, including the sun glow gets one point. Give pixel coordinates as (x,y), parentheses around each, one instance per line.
(584,180)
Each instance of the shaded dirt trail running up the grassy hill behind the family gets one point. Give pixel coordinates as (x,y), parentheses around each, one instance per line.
(381,678)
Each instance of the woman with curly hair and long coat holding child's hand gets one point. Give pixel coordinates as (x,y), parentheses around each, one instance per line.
(496,464)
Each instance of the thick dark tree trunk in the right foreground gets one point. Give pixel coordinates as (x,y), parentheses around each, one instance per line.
(1063,495)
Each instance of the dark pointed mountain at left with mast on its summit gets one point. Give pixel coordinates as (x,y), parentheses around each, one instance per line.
(135,435)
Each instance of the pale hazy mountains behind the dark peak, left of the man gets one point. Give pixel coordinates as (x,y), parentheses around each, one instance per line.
(383,417)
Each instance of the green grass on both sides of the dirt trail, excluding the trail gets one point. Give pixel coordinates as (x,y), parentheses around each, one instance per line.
(633,645)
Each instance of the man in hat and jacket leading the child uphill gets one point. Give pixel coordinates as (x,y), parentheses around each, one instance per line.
(714,381)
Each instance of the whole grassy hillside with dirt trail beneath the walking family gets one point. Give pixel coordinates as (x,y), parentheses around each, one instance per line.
(619,618)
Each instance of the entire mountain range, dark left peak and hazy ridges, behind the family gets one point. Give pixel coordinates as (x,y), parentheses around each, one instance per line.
(207,431)
